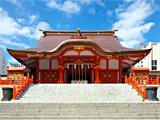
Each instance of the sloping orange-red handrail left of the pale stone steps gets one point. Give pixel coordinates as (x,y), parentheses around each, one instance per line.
(20,88)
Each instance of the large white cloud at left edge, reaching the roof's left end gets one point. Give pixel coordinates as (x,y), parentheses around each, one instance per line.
(9,27)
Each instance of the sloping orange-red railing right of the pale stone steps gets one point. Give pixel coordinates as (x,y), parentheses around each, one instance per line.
(137,86)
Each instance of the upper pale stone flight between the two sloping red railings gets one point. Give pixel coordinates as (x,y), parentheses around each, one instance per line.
(79,93)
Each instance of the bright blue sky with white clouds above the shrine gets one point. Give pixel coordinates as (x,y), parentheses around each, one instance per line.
(137,21)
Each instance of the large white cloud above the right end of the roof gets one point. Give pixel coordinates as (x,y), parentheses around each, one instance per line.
(131,23)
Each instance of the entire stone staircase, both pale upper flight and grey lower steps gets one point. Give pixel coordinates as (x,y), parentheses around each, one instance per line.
(79,101)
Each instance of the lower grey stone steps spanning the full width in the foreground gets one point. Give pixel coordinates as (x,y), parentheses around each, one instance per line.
(83,111)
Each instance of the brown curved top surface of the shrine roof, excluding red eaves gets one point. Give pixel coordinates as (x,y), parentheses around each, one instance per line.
(105,41)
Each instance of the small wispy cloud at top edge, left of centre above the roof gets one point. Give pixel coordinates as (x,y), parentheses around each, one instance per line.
(68,6)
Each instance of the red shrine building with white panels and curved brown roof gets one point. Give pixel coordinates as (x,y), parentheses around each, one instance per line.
(78,57)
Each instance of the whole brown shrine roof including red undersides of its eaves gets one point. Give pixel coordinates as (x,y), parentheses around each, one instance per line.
(52,43)
